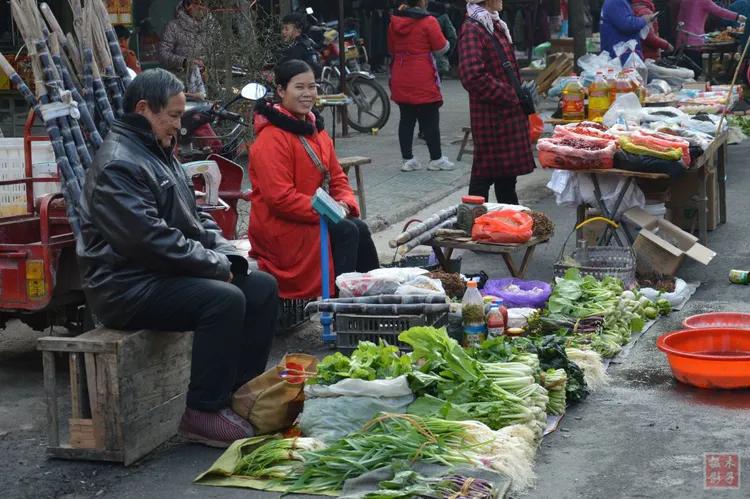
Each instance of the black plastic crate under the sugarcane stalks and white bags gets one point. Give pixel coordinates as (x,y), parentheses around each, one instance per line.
(351,329)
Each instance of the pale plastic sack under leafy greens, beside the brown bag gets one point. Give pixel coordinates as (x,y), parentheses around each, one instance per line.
(332,412)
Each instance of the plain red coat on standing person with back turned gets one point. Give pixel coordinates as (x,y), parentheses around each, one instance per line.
(413,35)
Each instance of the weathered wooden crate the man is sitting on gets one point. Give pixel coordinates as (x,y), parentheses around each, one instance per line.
(127,392)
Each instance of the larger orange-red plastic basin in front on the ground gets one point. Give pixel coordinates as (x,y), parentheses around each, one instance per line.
(709,357)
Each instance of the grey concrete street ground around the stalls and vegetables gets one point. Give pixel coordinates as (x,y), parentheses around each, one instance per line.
(644,436)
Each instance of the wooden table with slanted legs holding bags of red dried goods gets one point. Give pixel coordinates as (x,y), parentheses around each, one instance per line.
(713,160)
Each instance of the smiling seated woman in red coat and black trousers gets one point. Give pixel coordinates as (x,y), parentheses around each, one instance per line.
(284,229)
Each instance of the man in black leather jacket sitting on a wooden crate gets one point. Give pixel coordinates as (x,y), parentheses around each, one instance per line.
(149,259)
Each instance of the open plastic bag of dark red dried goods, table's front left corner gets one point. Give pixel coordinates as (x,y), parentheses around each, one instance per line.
(576,152)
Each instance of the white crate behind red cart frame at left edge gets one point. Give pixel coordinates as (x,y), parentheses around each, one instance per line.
(13,197)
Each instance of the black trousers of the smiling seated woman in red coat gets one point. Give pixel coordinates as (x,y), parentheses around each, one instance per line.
(352,247)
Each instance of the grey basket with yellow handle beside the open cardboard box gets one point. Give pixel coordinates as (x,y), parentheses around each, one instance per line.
(601,261)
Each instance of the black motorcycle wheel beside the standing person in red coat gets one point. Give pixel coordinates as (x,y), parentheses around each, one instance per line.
(371,107)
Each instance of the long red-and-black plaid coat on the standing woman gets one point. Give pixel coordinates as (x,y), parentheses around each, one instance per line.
(499,126)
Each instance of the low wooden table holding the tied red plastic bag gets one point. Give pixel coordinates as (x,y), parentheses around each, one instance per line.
(444,246)
